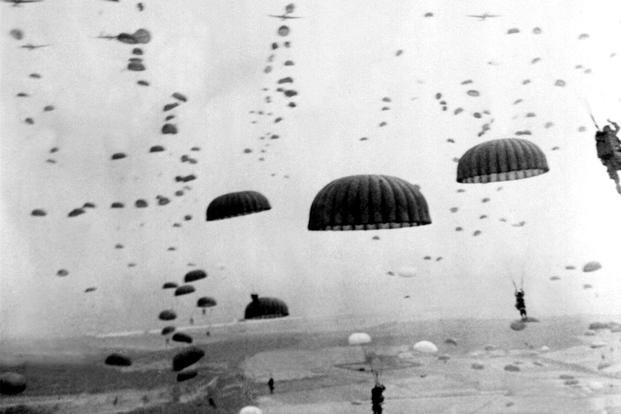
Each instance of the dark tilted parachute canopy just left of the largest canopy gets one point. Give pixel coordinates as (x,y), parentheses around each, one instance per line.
(236,204)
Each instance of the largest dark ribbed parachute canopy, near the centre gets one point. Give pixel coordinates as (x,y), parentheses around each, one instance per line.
(368,202)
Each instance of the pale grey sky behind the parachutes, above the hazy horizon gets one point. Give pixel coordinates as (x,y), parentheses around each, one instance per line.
(346,62)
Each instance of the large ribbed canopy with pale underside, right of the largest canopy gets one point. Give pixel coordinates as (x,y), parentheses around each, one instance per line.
(501,160)
